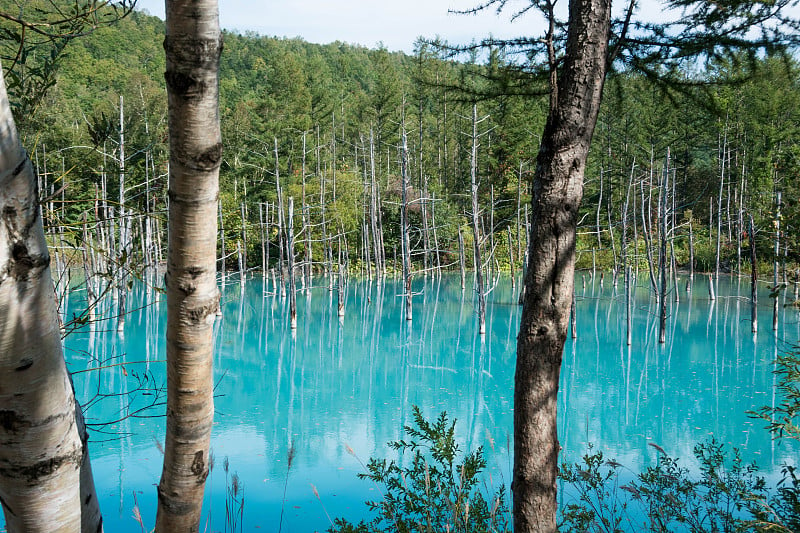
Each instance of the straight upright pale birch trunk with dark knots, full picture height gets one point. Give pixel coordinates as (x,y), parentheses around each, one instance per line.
(193,45)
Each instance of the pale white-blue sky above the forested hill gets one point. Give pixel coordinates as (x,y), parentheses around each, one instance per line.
(395,23)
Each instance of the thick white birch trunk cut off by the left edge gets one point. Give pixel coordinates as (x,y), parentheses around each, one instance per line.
(45,475)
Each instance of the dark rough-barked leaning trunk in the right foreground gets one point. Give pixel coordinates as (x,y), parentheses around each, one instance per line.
(558,189)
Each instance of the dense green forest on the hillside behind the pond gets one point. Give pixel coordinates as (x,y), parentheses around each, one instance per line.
(324,125)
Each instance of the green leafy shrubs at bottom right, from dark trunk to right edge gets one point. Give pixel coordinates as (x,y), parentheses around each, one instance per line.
(726,495)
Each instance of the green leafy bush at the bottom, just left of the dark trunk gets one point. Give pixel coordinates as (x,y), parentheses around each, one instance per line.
(439,491)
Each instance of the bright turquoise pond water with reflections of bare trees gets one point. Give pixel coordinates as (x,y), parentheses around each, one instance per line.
(335,384)
